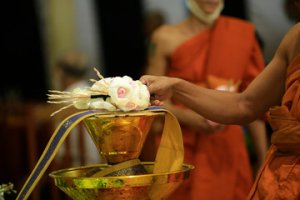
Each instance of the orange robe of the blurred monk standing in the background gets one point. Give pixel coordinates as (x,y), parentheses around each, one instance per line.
(228,51)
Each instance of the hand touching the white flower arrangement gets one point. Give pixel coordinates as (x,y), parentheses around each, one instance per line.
(160,87)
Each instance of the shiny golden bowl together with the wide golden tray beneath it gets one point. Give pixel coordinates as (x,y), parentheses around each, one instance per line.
(119,138)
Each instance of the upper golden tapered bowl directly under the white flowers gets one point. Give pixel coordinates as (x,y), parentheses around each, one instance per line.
(120,137)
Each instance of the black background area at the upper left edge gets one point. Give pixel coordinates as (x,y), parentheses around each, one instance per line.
(22,66)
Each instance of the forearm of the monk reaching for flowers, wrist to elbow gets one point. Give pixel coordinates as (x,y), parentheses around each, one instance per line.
(219,106)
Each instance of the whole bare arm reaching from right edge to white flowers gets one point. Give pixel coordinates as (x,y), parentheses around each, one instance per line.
(232,108)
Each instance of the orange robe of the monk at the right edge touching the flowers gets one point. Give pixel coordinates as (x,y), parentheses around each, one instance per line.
(280,175)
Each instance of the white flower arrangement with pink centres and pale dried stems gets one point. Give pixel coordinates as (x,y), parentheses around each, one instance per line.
(108,94)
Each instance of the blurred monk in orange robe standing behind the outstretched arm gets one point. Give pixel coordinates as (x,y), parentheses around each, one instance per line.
(222,54)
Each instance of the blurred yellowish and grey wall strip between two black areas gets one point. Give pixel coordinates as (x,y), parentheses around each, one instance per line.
(70,29)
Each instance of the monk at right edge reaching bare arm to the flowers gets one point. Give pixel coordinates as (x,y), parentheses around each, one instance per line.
(276,89)
